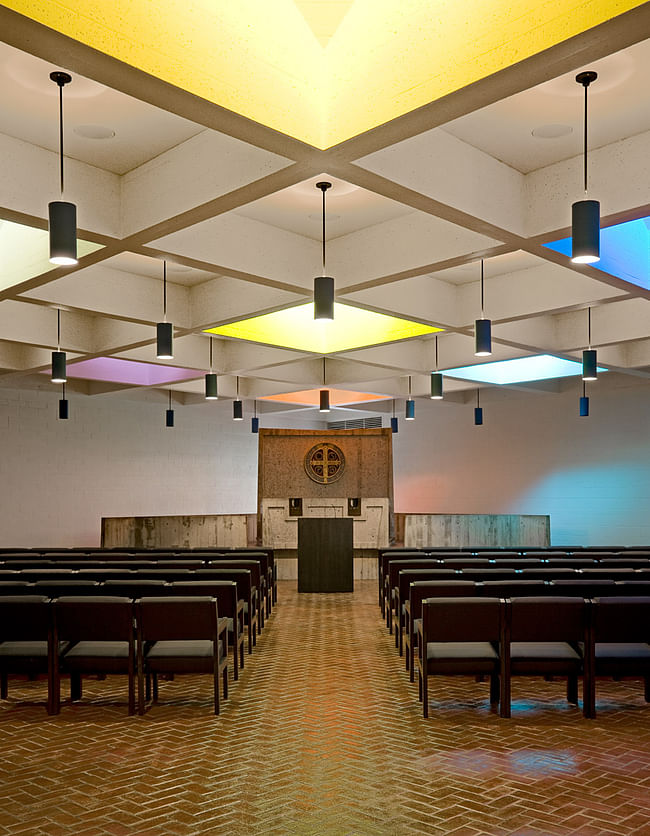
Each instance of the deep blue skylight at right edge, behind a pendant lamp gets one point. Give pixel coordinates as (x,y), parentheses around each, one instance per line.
(624,251)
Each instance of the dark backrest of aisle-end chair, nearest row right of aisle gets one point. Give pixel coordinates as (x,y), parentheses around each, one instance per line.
(461,619)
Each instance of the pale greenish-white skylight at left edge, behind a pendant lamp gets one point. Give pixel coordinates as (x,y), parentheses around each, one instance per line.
(24,253)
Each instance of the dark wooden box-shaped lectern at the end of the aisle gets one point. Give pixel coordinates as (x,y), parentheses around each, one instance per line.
(325,554)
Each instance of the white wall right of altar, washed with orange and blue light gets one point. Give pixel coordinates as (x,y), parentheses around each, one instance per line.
(534,455)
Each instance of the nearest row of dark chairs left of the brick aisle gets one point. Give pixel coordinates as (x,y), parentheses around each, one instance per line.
(142,639)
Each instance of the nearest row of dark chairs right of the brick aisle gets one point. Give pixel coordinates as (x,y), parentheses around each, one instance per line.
(533,636)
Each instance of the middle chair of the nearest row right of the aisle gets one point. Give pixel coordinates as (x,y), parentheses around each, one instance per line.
(542,636)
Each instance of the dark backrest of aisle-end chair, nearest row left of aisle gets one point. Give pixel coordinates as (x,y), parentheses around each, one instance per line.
(177,618)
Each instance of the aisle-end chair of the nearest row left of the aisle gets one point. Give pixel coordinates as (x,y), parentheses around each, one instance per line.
(181,635)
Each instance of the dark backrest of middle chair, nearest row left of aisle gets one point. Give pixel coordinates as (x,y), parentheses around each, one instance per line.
(93,618)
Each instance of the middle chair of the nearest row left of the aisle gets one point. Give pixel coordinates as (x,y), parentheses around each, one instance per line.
(102,641)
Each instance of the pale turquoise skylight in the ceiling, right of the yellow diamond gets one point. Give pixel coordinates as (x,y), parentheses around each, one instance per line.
(519,370)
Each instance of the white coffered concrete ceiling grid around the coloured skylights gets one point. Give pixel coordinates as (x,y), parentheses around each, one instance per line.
(233,208)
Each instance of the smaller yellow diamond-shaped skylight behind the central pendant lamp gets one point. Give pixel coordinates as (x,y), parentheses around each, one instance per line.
(296,328)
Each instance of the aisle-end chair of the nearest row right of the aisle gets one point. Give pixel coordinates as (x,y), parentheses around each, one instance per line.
(459,636)
